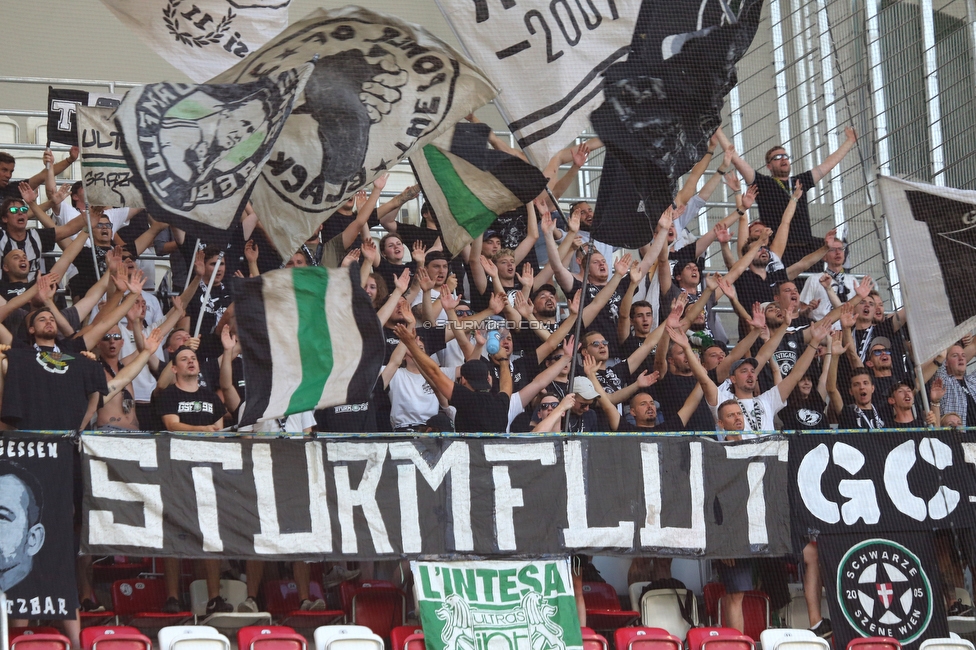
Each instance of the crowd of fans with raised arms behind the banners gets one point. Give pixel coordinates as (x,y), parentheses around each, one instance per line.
(477,340)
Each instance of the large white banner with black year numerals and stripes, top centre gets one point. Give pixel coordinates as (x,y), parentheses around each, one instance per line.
(548,58)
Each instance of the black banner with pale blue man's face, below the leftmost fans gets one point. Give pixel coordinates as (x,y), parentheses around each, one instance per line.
(37,551)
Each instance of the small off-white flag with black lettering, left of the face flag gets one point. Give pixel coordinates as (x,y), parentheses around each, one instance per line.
(104,170)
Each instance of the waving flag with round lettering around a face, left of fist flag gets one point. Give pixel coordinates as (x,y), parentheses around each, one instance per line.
(196,150)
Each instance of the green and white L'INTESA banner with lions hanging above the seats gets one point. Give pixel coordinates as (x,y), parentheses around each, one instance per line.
(483,604)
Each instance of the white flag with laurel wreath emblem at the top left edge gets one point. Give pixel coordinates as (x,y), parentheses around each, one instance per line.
(202,38)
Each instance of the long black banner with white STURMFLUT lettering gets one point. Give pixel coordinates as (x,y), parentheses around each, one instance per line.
(434,497)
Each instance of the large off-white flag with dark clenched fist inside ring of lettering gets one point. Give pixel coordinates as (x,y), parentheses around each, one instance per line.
(381,90)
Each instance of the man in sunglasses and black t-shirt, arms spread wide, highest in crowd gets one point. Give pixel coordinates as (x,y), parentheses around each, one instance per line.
(776,189)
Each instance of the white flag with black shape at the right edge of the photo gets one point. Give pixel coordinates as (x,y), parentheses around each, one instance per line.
(933,234)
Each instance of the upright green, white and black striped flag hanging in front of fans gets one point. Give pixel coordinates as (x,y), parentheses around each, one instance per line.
(310,339)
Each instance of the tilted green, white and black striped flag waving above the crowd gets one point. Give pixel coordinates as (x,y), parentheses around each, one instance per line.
(469,185)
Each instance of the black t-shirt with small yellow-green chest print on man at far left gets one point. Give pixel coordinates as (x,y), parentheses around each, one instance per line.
(48,389)
